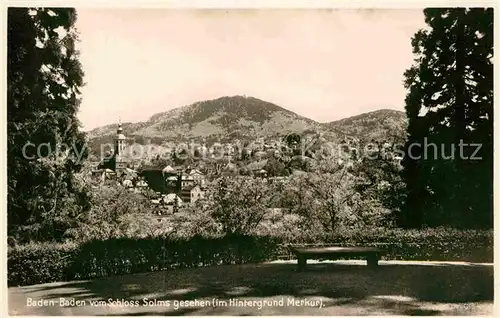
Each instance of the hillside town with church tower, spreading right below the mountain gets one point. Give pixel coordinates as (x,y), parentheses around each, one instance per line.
(172,187)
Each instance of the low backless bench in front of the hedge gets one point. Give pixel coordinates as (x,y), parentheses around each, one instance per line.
(371,254)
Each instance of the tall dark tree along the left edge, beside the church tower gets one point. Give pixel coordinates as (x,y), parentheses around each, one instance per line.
(44,145)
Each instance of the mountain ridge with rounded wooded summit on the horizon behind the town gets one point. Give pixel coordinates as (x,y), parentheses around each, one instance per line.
(245,117)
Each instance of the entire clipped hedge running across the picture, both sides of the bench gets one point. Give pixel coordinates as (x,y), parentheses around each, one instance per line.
(48,262)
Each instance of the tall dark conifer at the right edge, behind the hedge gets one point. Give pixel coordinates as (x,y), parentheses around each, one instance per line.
(450,102)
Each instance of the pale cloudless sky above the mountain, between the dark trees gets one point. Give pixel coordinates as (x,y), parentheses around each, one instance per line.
(324,64)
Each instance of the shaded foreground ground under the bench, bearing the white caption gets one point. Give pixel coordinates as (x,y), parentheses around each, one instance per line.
(327,288)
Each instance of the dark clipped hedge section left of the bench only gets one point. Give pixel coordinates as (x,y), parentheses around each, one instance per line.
(44,263)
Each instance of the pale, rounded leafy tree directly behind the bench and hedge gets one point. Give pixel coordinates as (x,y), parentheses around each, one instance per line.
(330,200)
